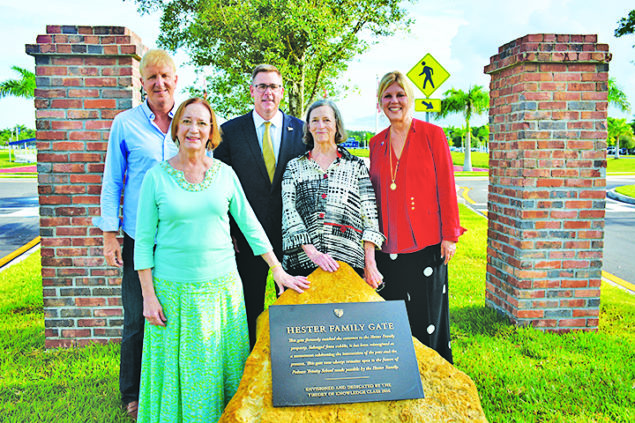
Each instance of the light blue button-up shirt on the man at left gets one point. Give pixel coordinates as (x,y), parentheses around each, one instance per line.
(135,145)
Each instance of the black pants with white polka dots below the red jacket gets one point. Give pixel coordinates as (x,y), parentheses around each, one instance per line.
(421,280)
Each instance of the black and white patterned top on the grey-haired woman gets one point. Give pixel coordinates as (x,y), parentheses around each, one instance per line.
(334,210)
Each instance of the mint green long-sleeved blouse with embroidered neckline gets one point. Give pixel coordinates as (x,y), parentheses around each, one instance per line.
(191,225)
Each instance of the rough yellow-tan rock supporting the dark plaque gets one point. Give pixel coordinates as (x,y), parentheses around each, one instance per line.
(450,395)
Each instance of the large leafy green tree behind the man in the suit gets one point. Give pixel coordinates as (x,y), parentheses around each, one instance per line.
(310,41)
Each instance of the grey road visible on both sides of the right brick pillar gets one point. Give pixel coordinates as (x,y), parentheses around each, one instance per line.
(619,230)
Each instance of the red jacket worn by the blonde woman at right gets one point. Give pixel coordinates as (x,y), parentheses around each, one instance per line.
(425,187)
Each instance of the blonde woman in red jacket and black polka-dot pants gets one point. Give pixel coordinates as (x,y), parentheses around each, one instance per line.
(412,173)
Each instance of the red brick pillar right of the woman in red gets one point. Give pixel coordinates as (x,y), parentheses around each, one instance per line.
(547,180)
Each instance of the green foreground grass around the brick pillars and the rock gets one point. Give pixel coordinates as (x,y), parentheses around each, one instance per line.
(522,375)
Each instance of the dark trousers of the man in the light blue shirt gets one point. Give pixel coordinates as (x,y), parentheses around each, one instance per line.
(133,321)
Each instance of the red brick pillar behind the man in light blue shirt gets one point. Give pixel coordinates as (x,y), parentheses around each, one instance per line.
(85,75)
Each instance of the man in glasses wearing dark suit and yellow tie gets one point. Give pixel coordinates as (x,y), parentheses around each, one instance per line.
(258,146)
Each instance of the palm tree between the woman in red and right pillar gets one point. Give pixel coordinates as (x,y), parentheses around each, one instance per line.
(458,101)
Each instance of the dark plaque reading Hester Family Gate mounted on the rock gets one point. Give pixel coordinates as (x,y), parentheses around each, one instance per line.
(342,353)
